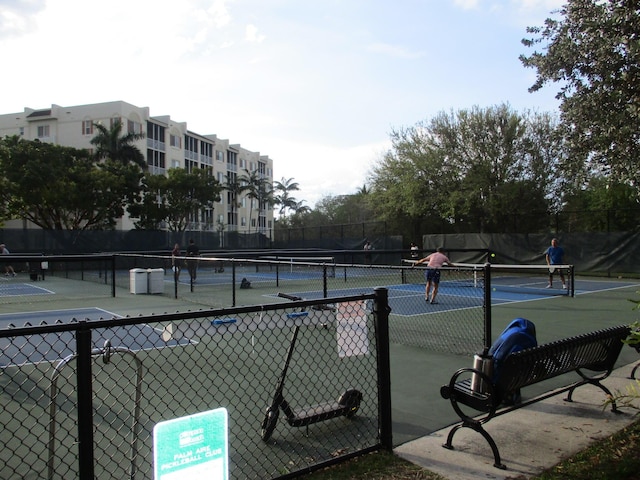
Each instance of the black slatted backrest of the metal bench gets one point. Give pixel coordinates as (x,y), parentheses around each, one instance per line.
(596,351)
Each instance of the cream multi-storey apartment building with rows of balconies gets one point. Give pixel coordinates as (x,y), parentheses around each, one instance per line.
(167,144)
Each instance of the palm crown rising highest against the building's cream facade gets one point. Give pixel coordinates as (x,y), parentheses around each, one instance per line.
(111,144)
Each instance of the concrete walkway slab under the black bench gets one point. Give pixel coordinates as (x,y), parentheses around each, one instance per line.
(530,439)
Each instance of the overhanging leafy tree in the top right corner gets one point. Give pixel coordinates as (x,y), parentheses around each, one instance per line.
(593,53)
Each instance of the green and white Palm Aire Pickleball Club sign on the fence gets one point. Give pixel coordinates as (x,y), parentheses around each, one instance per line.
(192,447)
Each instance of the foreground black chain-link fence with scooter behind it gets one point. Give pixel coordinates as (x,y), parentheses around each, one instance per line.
(305,384)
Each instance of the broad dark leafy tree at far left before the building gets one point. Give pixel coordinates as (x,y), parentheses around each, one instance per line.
(62,188)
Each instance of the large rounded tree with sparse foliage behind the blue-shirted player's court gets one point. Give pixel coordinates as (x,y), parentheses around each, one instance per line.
(472,170)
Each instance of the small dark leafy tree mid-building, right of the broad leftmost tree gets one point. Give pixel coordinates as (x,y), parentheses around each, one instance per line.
(175,199)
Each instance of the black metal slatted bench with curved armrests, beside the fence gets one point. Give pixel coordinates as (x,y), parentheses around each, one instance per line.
(592,356)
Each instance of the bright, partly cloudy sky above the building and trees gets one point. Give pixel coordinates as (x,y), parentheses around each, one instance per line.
(317,85)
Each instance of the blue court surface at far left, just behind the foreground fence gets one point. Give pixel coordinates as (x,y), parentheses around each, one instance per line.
(56,346)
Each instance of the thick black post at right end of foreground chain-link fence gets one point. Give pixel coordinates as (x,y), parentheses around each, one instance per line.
(381,310)
